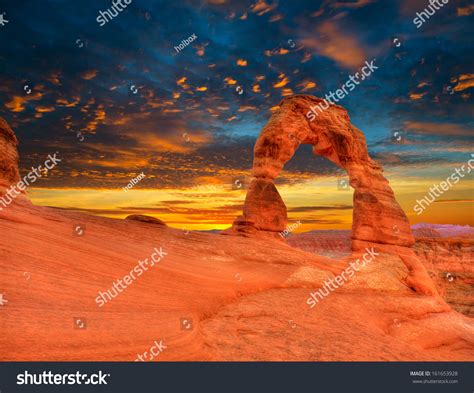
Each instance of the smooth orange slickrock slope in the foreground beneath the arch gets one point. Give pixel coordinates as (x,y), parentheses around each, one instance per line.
(209,298)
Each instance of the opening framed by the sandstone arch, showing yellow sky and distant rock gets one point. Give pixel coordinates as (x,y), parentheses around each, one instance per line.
(319,204)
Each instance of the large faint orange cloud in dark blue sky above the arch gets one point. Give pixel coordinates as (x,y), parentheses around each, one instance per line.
(343,48)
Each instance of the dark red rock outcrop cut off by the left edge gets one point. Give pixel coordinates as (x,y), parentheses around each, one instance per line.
(9,173)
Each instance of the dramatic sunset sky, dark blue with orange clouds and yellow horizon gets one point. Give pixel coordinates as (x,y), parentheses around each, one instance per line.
(119,100)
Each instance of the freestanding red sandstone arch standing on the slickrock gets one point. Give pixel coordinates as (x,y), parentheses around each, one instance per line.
(378,219)
